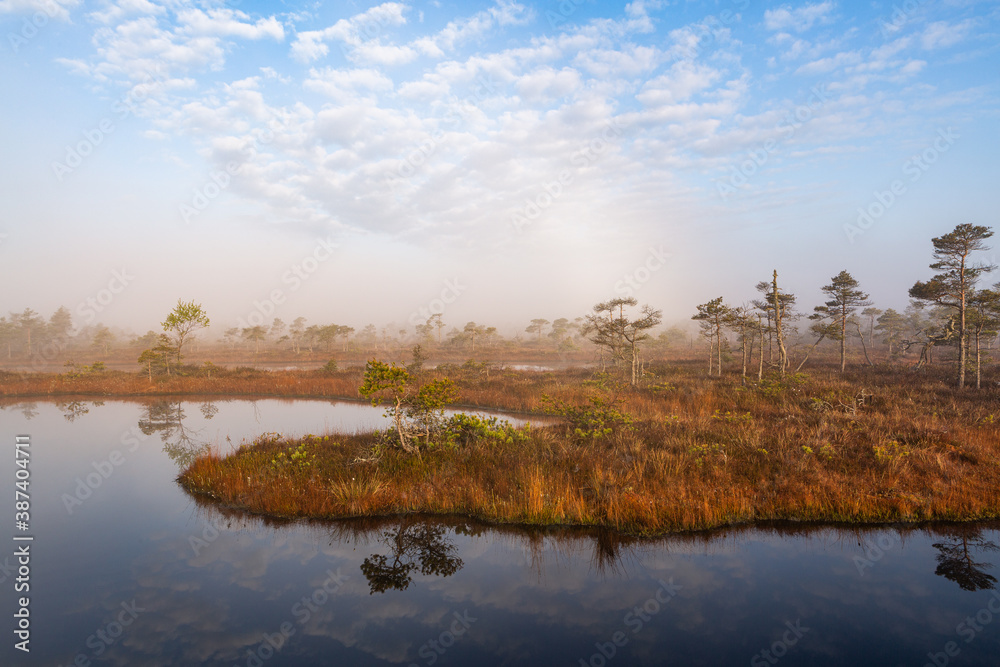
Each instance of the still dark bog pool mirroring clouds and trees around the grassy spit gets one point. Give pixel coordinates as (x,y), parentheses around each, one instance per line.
(127,569)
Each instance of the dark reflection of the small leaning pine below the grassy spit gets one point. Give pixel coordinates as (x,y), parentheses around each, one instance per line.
(415,546)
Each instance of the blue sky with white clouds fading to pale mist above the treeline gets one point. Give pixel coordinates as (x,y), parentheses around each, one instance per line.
(492,161)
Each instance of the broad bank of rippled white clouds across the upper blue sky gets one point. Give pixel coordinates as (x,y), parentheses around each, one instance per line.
(442,132)
